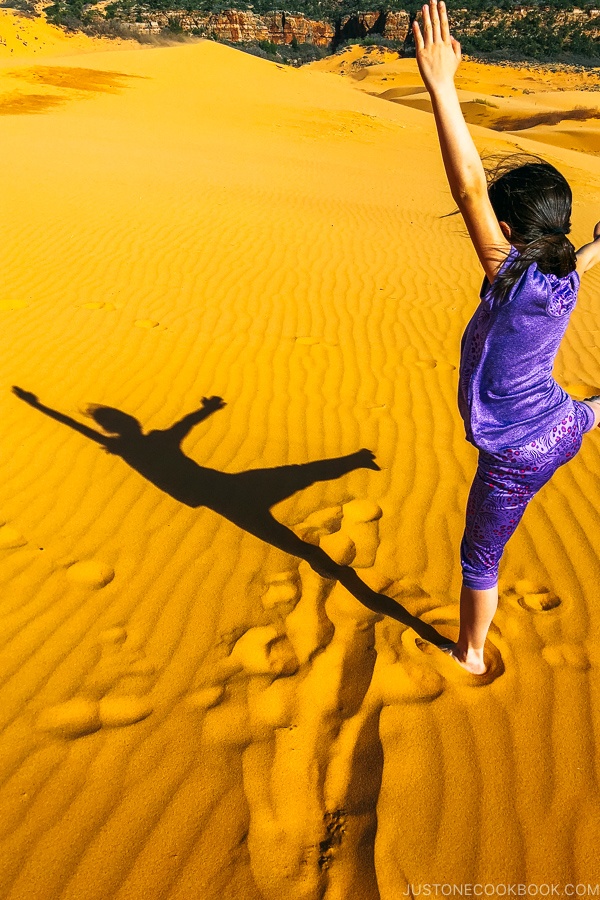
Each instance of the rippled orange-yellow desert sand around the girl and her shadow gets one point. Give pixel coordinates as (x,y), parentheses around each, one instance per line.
(189,711)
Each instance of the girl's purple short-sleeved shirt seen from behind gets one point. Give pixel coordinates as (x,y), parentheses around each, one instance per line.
(507,395)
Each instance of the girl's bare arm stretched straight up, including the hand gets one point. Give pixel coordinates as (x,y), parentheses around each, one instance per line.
(438,57)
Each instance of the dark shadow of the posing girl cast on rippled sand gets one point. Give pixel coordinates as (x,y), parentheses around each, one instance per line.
(244,498)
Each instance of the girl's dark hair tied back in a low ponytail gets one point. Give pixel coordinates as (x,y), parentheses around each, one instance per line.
(533,198)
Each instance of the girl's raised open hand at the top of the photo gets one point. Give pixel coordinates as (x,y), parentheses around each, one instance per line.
(438,53)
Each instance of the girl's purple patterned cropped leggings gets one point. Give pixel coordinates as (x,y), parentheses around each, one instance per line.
(504,484)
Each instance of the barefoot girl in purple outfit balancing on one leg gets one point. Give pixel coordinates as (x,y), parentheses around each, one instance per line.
(523,424)
